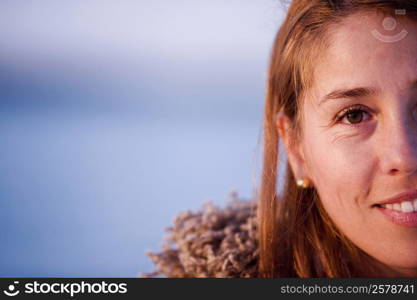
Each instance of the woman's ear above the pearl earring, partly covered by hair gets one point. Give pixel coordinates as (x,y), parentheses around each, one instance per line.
(295,153)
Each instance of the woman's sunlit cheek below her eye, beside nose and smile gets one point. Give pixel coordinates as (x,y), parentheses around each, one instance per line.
(342,173)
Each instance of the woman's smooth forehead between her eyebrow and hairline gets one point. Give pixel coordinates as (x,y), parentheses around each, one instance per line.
(356,57)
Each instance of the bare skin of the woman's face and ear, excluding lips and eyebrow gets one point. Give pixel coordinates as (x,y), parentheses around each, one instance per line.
(354,166)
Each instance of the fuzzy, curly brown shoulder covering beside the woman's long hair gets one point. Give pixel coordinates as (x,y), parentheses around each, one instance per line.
(212,242)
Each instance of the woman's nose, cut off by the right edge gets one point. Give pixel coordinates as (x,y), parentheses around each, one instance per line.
(399,152)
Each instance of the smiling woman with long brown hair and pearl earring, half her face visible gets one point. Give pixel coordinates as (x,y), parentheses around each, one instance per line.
(342,96)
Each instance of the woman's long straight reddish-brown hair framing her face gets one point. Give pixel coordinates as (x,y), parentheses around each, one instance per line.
(296,236)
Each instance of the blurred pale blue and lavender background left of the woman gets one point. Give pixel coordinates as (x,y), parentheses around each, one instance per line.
(117,115)
